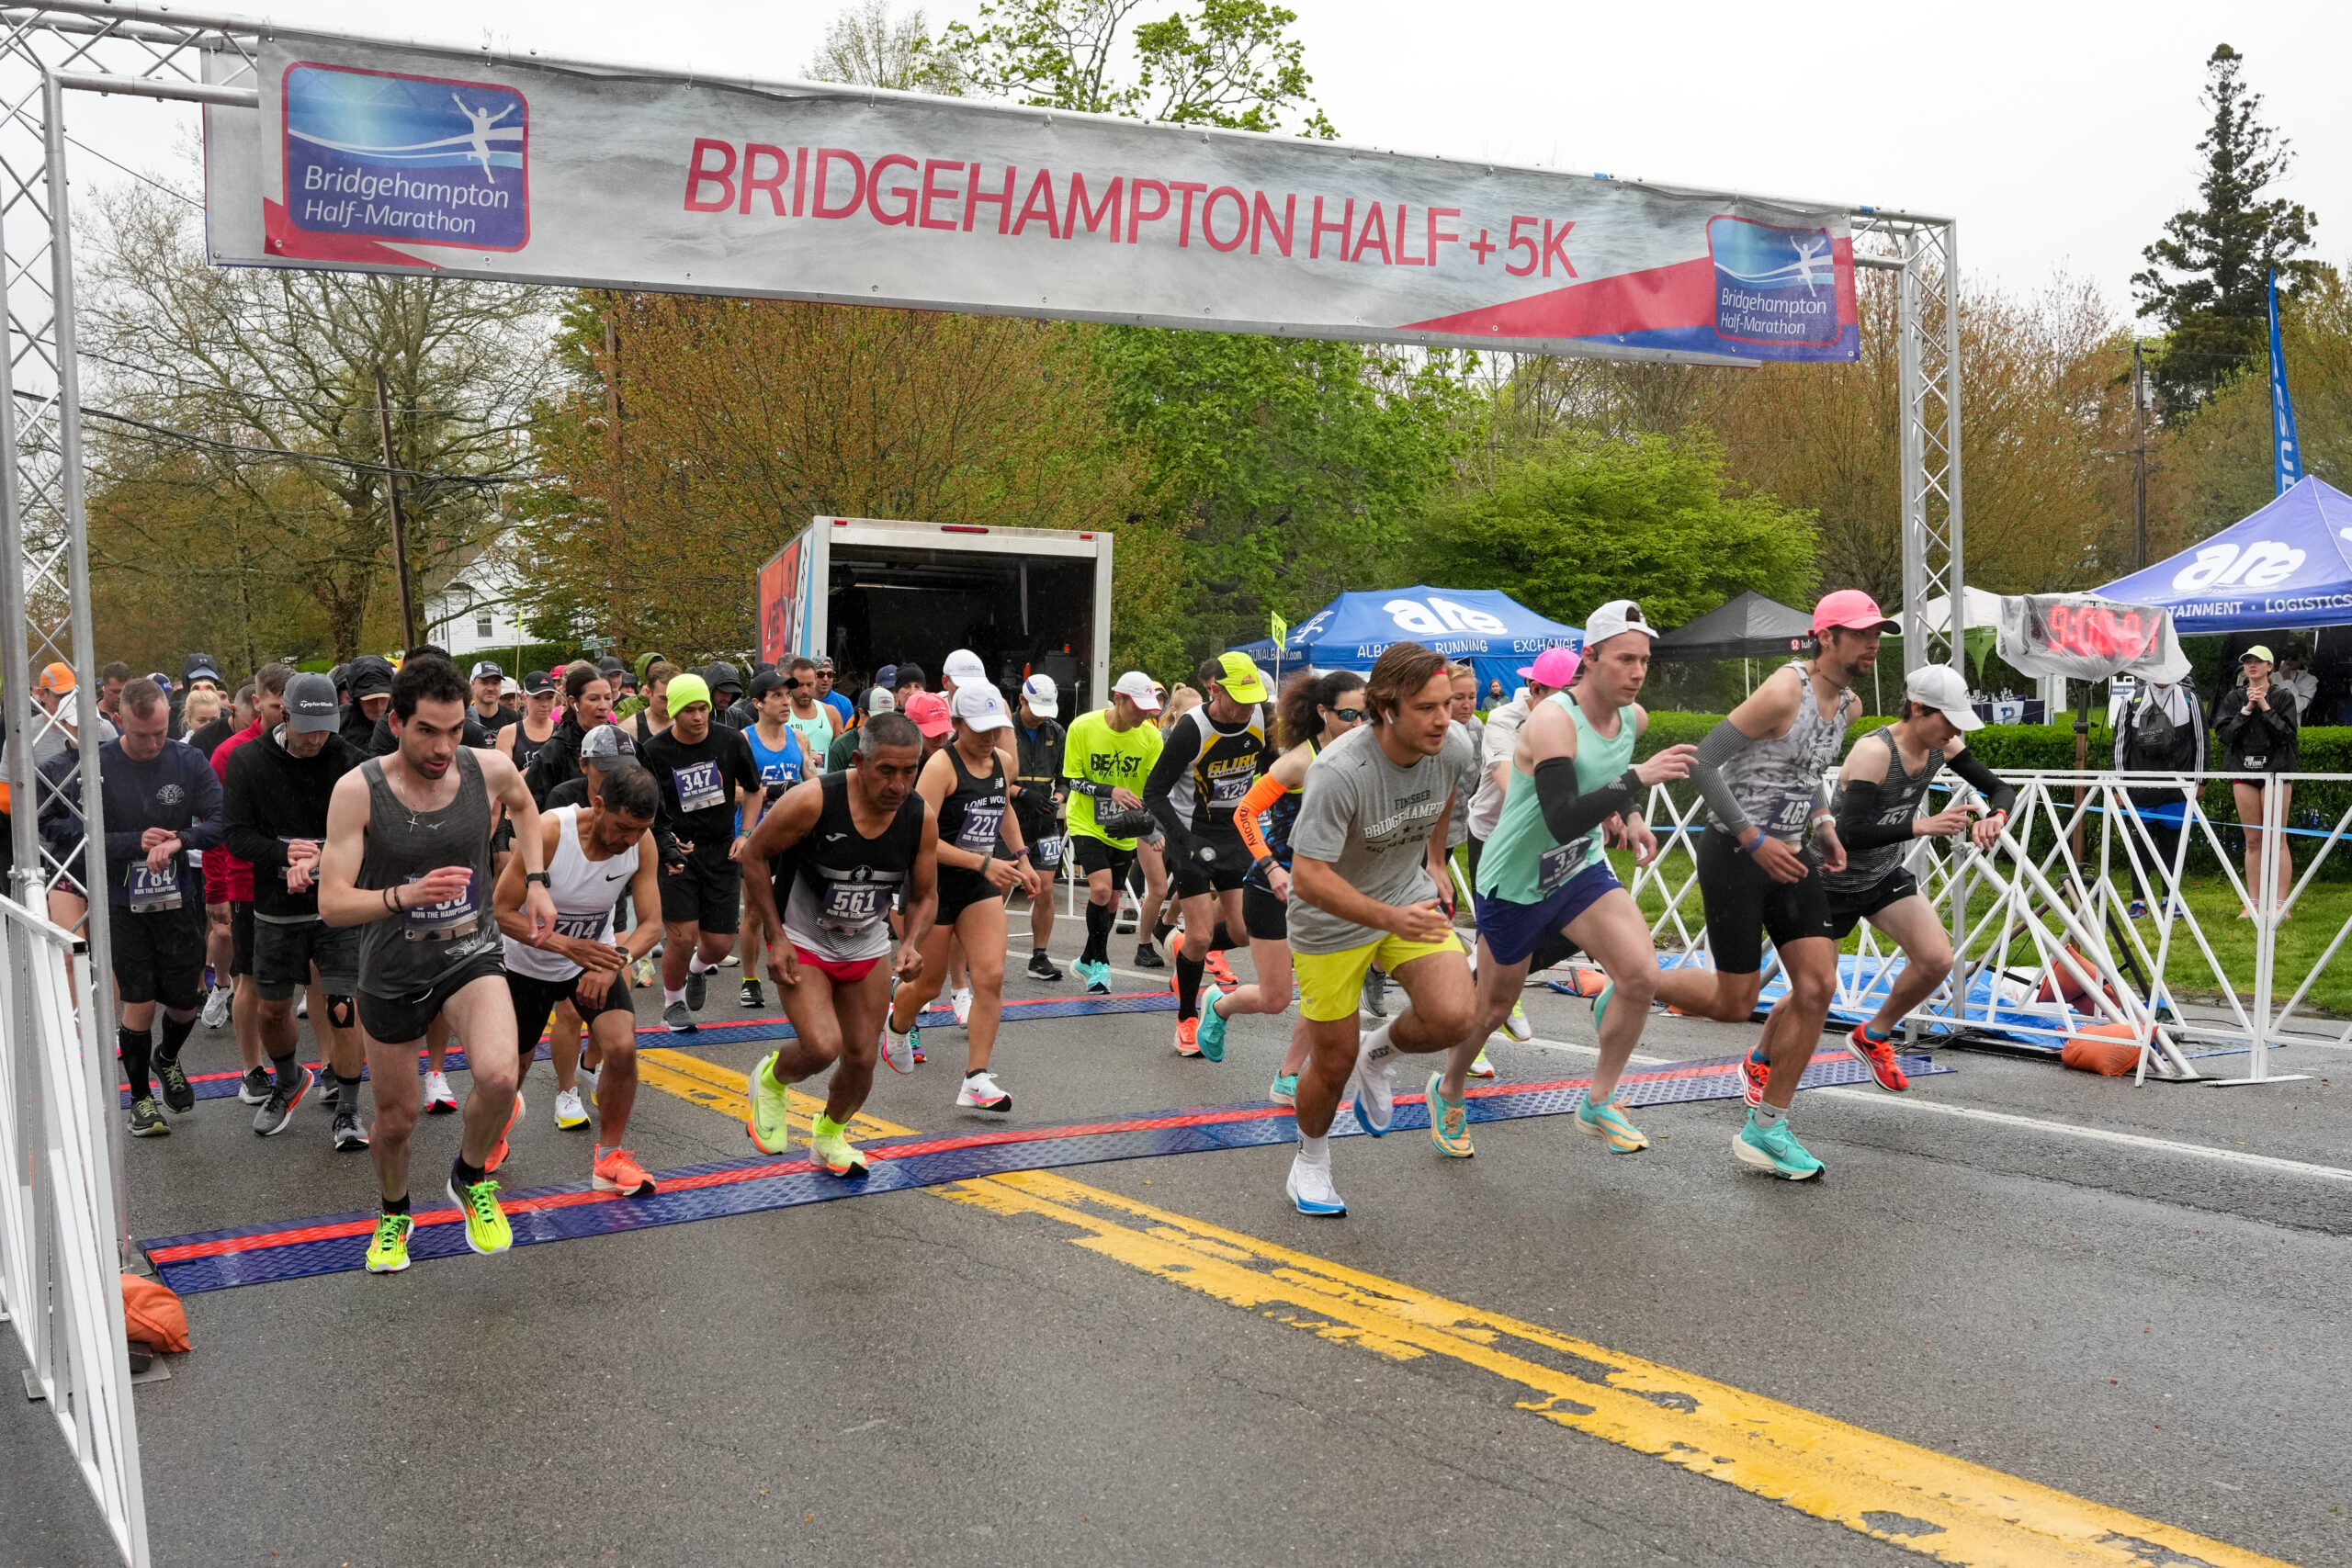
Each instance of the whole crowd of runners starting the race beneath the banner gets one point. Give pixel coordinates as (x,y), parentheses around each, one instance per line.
(422,859)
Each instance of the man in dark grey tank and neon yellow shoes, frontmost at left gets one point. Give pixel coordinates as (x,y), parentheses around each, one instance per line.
(408,862)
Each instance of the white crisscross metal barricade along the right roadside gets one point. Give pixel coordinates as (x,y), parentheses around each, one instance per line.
(2045,944)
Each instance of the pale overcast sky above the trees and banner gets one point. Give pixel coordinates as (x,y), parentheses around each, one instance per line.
(2062,135)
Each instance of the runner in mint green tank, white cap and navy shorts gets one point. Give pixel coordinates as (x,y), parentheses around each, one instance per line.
(1546,885)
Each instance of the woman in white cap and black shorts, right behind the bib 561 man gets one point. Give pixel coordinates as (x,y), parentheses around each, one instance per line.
(970,798)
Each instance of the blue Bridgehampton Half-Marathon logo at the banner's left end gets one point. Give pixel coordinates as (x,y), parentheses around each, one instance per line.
(415,159)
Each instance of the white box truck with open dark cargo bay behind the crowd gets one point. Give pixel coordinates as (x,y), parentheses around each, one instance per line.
(876,594)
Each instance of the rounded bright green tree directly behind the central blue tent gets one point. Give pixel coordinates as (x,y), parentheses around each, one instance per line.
(1586,521)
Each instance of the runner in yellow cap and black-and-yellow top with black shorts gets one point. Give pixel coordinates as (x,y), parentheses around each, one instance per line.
(1205,768)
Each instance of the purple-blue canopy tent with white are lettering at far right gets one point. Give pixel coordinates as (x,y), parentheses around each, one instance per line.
(2283,568)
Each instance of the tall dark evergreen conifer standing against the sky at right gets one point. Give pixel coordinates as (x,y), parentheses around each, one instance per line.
(2207,279)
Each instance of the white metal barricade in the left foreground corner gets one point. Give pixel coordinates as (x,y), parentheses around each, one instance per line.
(58,1212)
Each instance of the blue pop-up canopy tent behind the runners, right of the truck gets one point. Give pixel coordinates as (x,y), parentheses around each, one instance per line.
(1483,626)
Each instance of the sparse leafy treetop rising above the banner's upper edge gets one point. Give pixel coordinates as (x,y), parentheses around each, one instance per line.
(1215,62)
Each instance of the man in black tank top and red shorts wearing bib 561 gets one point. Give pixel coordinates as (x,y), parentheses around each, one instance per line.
(850,843)
